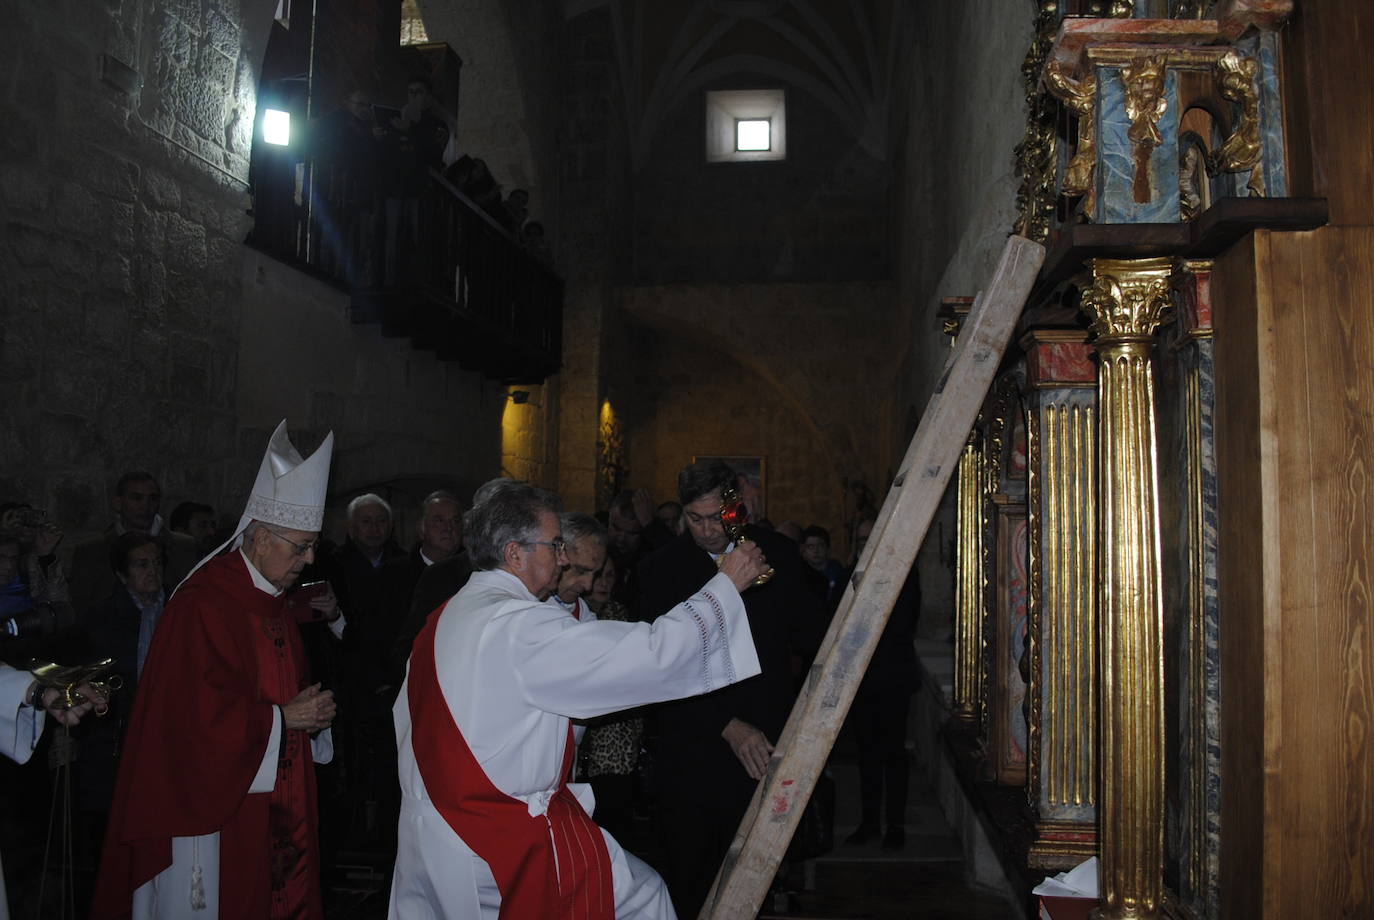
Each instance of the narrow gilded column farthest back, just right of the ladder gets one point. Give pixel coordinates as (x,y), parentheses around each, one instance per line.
(969,608)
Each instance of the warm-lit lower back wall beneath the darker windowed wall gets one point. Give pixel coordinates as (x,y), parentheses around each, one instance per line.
(791,373)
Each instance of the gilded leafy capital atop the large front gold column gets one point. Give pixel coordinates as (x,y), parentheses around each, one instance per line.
(1129,299)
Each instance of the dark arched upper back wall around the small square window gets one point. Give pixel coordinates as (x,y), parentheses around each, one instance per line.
(821,215)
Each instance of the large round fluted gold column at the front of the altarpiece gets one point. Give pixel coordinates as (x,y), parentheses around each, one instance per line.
(1127,301)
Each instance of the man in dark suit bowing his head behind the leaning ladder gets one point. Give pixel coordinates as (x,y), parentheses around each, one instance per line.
(712,750)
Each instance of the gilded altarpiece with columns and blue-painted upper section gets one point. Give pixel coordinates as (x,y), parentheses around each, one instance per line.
(1155,141)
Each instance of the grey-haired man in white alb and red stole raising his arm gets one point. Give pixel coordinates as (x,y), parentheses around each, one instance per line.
(490,825)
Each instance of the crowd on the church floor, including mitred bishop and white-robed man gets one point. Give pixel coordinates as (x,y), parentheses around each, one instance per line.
(286,700)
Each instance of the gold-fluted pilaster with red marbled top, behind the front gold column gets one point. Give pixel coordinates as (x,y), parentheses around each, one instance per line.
(1061,433)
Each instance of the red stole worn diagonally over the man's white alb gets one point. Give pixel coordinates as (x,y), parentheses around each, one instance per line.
(550,866)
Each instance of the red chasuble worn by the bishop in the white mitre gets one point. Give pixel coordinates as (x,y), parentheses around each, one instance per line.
(223,653)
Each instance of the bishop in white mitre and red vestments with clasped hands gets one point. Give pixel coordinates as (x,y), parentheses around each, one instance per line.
(215,805)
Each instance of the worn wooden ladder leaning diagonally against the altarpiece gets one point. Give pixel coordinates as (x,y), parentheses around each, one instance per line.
(802,753)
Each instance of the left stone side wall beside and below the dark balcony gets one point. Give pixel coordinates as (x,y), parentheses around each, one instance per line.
(137,330)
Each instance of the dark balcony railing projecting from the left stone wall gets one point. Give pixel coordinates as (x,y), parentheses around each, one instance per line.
(420,259)
